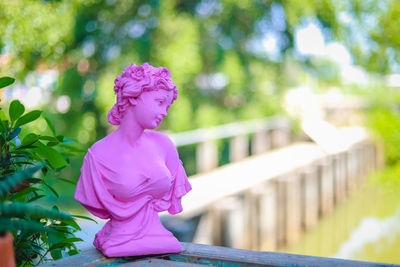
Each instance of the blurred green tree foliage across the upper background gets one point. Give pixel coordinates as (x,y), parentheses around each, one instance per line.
(230,59)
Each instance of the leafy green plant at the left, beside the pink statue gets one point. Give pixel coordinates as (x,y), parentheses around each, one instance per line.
(27,170)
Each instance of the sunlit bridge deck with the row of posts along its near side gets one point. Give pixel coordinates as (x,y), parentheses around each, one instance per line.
(266,201)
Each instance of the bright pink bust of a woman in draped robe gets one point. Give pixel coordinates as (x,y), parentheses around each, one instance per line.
(132,174)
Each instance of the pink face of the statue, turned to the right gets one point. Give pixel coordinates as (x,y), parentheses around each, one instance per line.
(152,107)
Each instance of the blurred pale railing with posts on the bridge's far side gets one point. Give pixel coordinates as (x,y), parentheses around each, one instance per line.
(255,136)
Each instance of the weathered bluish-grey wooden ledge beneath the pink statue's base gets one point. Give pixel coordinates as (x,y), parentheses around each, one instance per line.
(197,255)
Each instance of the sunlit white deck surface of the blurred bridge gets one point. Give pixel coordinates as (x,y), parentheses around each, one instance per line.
(235,178)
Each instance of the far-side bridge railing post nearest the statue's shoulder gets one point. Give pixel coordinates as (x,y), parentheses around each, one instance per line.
(207,156)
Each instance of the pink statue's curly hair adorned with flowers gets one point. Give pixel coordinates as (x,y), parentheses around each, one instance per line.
(133,81)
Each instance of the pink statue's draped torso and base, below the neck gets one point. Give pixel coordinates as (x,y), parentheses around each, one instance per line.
(130,191)
